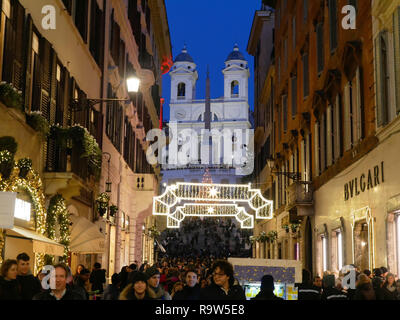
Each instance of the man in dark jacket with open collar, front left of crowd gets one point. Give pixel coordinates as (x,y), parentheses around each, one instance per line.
(60,292)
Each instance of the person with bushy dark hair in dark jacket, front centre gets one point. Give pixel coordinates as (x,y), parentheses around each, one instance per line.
(223,285)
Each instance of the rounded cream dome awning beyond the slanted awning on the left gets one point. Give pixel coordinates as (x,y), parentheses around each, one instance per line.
(86,237)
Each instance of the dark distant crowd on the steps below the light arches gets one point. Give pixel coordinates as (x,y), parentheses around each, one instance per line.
(204,237)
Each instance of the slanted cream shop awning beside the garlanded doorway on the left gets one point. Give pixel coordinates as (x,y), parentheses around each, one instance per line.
(40,243)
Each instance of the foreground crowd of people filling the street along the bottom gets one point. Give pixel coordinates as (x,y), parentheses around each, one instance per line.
(182,279)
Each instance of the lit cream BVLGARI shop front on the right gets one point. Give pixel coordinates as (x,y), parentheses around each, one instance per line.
(356,214)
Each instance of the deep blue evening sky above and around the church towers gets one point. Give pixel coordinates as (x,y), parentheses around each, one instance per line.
(210,28)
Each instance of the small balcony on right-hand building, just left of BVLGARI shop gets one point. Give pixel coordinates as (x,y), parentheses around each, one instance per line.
(300,198)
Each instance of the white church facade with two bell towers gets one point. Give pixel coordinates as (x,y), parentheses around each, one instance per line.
(188,114)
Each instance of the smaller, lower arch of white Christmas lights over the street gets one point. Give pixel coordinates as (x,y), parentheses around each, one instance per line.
(210,210)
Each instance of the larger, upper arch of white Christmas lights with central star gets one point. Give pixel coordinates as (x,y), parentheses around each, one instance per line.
(211,195)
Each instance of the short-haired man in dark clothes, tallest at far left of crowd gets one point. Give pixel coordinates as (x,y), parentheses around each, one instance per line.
(29,284)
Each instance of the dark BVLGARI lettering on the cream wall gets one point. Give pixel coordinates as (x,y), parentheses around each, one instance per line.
(366,181)
